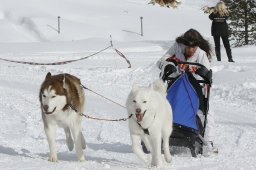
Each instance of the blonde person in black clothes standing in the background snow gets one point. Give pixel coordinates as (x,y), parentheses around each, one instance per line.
(219,29)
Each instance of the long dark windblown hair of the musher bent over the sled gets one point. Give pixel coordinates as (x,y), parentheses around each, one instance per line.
(193,38)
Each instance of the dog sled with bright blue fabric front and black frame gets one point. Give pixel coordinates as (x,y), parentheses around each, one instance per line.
(188,94)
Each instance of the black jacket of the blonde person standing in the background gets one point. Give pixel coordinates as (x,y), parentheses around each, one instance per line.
(219,25)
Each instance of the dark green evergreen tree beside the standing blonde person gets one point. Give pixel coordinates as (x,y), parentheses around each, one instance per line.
(242,25)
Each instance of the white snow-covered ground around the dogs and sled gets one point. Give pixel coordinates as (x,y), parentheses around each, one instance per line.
(27,33)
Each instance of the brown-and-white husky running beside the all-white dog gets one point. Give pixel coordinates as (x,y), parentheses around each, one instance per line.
(56,94)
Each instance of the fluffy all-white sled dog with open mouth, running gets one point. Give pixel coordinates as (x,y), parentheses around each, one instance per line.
(151,121)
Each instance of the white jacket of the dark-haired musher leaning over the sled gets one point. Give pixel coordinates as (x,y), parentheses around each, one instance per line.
(177,51)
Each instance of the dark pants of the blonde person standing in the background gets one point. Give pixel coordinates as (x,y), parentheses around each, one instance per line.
(226,45)
